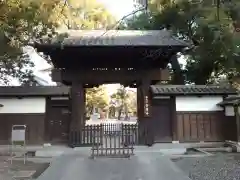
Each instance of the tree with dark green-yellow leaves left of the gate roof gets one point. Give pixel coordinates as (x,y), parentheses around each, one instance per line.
(20,21)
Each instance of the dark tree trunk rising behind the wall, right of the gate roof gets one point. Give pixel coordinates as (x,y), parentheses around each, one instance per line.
(178,77)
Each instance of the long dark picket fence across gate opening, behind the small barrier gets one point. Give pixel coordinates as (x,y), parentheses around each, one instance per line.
(96,134)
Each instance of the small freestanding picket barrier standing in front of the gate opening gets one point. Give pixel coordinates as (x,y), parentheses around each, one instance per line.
(116,140)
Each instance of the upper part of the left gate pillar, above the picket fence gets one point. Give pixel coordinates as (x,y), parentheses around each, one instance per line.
(78,107)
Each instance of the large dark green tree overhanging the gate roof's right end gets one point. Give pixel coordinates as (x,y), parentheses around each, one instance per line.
(210,29)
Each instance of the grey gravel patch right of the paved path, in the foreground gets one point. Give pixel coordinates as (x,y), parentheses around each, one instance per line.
(218,167)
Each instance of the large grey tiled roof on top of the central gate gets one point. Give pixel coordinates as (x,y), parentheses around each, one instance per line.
(121,38)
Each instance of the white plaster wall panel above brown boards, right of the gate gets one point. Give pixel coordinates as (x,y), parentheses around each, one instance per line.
(204,103)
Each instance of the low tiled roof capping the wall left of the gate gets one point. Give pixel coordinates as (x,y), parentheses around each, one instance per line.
(33,91)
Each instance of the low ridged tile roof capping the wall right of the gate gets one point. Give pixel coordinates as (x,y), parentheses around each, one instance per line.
(190,90)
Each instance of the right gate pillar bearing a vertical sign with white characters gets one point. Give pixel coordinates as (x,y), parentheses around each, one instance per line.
(144,113)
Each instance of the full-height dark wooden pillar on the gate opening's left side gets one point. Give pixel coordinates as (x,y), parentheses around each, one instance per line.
(78,113)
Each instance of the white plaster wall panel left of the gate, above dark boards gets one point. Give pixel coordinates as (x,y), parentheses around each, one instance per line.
(24,105)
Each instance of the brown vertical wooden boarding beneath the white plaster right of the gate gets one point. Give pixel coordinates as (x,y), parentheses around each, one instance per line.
(205,126)
